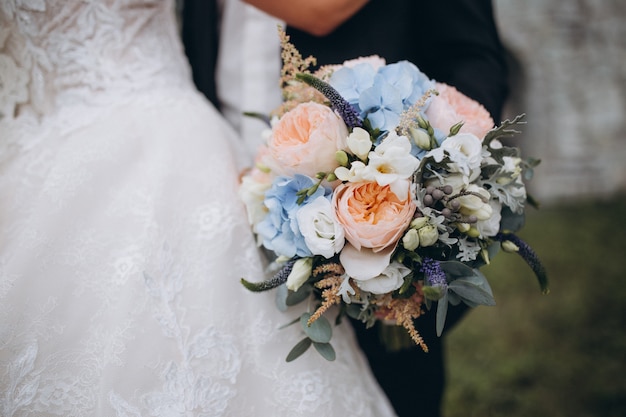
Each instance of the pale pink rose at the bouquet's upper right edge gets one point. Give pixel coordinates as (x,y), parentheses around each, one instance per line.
(451,107)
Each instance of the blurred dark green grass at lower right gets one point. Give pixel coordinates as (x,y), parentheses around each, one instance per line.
(562,354)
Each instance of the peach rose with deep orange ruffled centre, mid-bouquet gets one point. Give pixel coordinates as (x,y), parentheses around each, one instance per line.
(372,215)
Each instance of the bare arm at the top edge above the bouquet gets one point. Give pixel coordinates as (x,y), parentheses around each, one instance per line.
(317,17)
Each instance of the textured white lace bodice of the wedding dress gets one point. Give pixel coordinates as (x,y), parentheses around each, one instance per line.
(55,53)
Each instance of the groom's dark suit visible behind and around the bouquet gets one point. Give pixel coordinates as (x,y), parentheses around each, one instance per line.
(452,41)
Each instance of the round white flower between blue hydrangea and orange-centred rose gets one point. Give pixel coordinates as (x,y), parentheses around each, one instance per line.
(323,235)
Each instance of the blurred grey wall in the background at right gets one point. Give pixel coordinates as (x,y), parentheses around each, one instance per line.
(568,63)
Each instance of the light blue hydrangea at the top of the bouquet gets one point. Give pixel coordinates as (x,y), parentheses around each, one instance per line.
(381,96)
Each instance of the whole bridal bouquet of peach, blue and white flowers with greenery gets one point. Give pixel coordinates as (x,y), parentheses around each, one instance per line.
(383,192)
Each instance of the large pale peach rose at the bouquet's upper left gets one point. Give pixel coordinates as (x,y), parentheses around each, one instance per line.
(305,141)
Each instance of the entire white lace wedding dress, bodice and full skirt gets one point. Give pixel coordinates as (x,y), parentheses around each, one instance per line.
(122,240)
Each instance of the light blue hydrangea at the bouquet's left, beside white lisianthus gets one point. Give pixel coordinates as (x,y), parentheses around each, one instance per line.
(279,229)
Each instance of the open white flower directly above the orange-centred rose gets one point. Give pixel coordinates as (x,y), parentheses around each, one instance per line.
(391,163)
